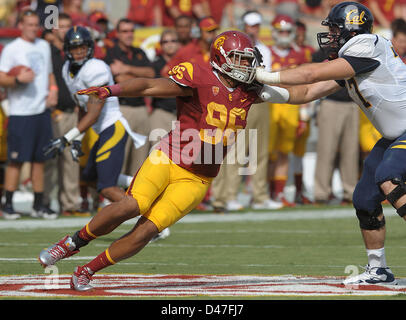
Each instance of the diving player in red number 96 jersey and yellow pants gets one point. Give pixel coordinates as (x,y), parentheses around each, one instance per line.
(212,105)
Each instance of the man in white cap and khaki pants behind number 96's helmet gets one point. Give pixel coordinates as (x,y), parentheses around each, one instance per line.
(226,185)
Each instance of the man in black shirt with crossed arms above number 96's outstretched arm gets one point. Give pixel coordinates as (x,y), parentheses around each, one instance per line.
(128,62)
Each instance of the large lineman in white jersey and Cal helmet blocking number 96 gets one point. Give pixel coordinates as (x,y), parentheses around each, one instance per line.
(375,77)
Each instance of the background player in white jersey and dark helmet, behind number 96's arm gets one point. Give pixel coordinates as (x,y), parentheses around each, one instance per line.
(106,156)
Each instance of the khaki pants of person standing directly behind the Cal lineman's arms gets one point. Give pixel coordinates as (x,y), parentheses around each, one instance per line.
(337,138)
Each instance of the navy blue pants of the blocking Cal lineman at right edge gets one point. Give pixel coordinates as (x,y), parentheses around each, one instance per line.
(386,161)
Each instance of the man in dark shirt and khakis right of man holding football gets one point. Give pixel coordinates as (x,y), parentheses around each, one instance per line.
(64,117)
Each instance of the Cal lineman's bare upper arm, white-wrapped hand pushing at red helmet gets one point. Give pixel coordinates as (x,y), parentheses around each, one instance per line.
(337,69)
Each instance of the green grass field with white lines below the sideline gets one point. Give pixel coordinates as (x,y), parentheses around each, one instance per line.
(297,245)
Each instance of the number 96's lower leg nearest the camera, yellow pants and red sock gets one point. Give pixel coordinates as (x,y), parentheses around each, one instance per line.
(182,194)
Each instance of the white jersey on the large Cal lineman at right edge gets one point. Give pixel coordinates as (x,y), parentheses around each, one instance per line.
(381,93)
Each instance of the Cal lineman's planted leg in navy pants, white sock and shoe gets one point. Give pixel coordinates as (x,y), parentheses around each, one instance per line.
(378,181)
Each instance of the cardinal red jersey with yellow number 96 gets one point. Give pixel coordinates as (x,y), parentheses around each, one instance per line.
(207,121)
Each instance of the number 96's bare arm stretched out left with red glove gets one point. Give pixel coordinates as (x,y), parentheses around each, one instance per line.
(140,87)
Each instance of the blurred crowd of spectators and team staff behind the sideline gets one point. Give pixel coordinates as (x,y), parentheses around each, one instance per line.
(183,31)
